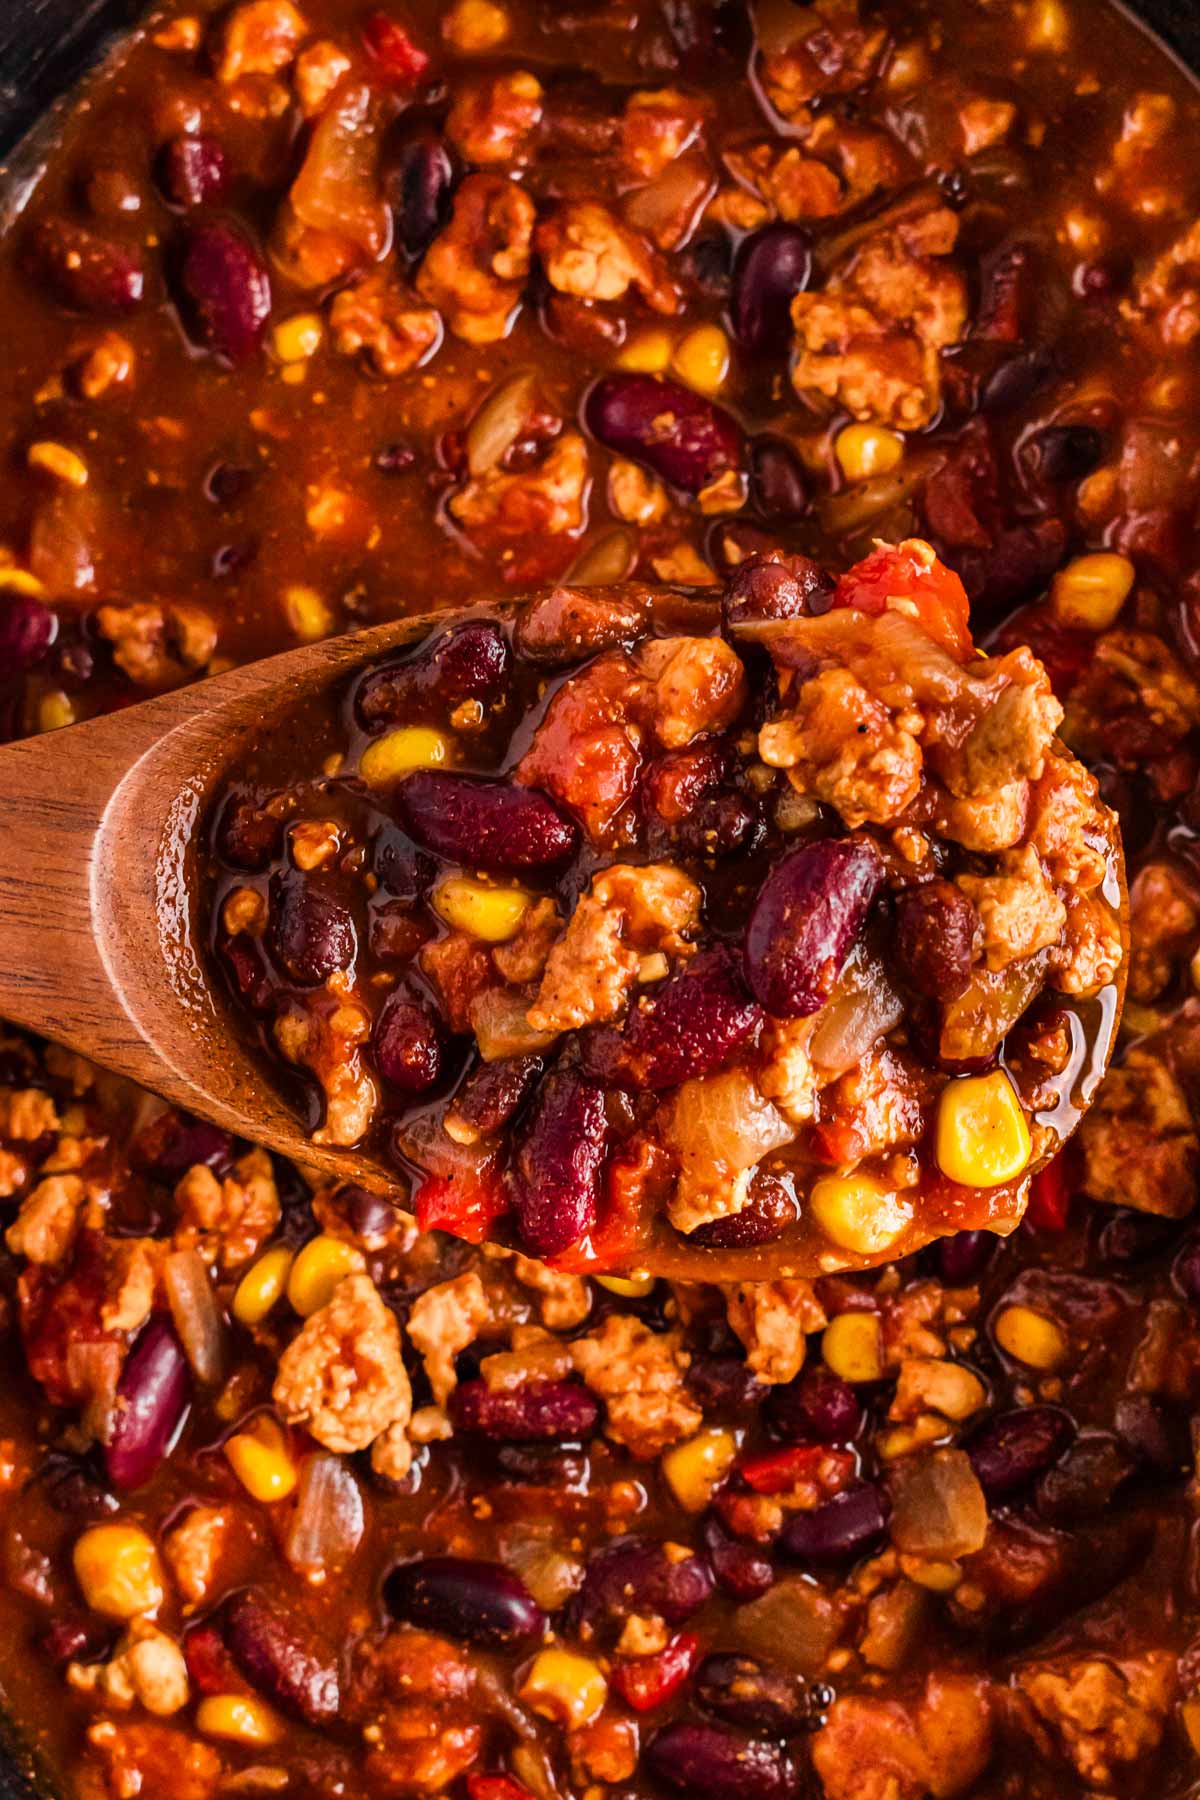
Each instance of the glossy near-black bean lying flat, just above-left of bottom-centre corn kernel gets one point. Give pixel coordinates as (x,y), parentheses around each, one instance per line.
(478,1601)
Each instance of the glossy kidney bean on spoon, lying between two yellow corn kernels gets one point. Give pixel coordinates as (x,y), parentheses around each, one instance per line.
(485,823)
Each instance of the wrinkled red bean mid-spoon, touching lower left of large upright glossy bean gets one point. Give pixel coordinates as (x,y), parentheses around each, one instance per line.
(695,1023)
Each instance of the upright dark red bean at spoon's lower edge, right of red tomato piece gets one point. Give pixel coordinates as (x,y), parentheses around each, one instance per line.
(559,1164)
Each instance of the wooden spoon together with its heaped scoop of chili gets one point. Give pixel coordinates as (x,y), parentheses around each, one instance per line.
(631,930)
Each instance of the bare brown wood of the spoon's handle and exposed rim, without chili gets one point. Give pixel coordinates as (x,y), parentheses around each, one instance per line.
(103,926)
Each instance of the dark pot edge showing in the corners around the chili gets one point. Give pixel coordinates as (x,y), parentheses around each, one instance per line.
(46,48)
